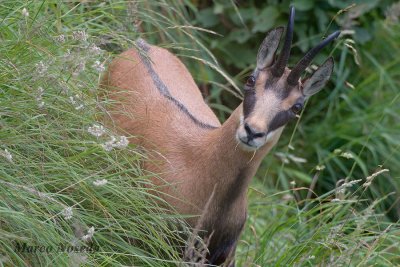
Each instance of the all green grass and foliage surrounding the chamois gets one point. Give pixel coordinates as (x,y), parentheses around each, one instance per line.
(328,194)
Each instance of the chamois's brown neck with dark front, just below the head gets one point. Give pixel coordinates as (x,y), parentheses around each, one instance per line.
(231,168)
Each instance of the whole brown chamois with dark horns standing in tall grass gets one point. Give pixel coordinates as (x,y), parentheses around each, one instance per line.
(205,164)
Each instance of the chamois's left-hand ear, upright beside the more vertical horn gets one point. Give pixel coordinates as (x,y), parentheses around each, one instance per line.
(266,52)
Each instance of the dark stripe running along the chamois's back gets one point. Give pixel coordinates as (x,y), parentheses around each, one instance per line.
(163,89)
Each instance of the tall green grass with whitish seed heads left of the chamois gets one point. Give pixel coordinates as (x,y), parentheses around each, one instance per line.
(66,180)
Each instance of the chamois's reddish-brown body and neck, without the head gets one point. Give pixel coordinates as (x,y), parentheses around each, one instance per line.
(193,153)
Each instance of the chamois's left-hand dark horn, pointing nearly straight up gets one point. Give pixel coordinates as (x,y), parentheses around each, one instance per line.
(277,71)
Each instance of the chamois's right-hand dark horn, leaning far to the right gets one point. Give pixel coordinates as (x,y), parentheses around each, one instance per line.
(308,57)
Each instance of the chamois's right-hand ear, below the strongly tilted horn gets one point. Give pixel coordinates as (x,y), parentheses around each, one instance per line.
(319,78)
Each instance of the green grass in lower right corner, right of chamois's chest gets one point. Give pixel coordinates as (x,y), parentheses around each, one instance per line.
(339,228)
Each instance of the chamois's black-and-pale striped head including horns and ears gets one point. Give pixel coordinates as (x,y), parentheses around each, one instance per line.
(274,94)
